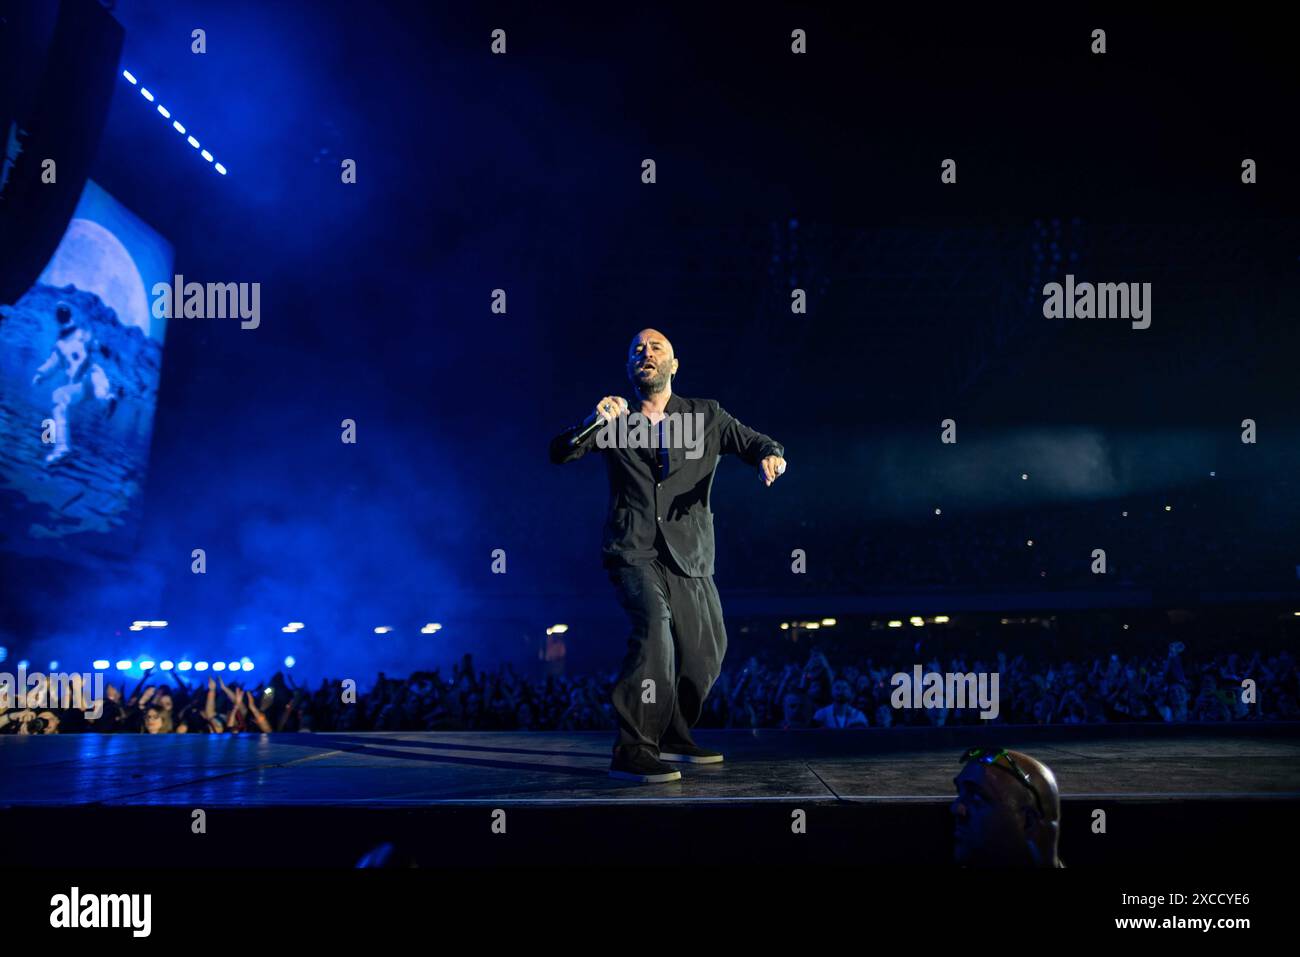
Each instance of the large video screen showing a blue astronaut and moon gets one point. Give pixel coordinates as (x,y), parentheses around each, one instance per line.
(81,354)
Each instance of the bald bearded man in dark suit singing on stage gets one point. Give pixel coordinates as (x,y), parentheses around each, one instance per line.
(658,551)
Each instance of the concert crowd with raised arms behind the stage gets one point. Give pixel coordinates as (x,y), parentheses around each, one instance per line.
(764,691)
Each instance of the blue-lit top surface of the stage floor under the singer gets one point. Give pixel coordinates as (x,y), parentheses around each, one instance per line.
(422,769)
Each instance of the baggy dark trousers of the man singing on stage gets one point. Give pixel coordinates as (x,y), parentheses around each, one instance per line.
(675,653)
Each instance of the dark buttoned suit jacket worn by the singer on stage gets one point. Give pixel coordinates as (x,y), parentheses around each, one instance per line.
(645,505)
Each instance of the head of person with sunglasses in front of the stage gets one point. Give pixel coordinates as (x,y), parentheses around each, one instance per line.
(1007,812)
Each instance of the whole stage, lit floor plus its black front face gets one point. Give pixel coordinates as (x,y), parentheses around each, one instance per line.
(1181,796)
